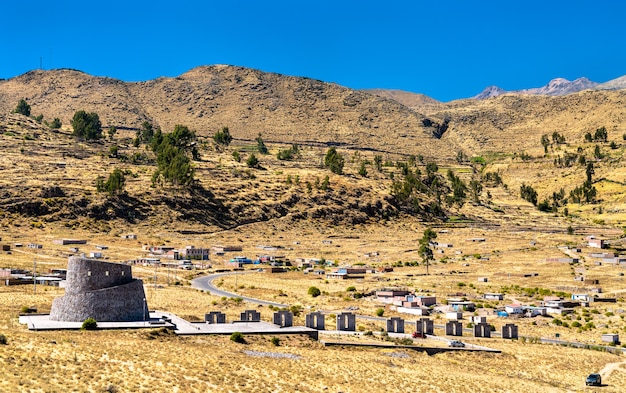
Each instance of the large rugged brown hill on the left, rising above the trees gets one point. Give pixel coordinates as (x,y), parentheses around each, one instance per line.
(285,109)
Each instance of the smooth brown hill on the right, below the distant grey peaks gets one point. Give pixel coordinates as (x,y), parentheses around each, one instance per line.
(515,123)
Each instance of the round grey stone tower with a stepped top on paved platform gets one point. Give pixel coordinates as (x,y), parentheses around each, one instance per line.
(100,290)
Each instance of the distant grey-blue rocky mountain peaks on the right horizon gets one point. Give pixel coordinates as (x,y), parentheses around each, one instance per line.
(557,87)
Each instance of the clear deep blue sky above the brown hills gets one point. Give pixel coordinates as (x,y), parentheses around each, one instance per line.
(442,48)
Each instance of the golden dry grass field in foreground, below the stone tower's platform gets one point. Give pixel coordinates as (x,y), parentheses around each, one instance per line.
(132,361)
